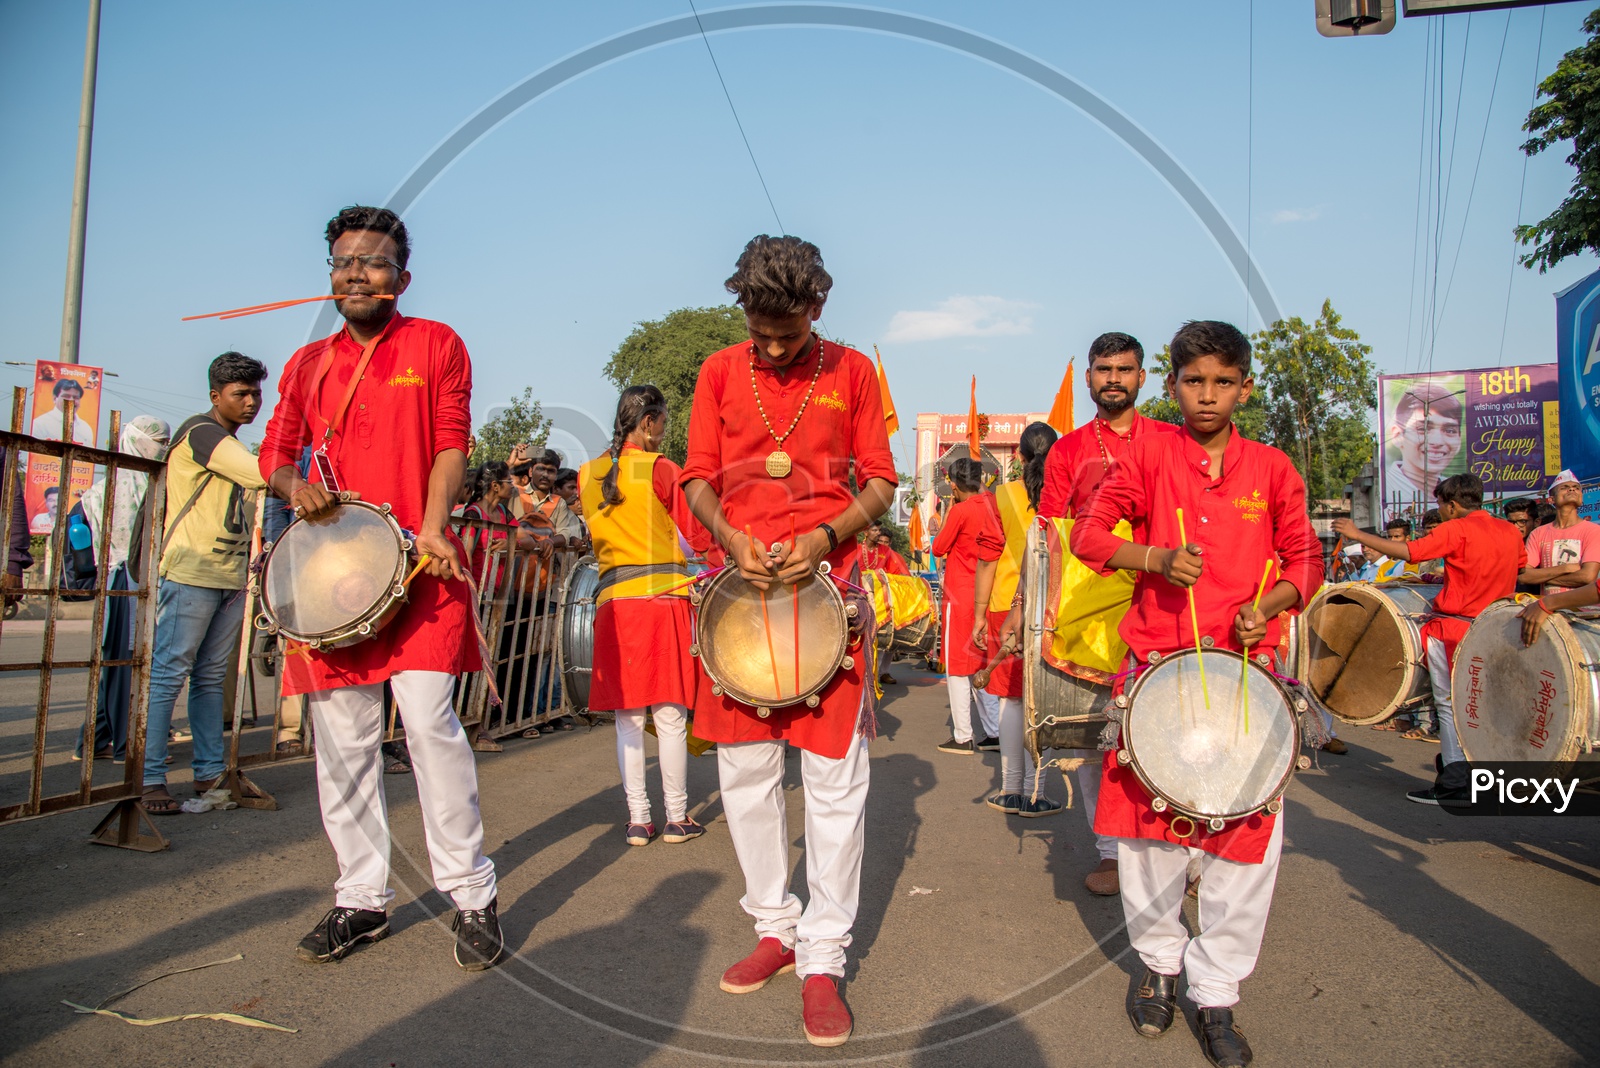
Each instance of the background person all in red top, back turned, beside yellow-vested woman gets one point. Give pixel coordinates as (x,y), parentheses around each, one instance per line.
(970,533)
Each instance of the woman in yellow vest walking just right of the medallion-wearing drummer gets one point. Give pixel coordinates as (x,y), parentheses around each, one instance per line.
(994,589)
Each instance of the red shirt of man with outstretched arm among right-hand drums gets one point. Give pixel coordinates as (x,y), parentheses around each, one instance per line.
(1482,557)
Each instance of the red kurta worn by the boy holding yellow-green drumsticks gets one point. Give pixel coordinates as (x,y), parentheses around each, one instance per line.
(1257,511)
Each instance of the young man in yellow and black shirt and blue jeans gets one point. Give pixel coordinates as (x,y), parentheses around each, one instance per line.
(201,607)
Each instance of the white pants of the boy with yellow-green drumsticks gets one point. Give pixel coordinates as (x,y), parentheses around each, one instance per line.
(1234,904)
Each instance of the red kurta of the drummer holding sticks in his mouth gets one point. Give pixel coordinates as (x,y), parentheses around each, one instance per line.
(414,402)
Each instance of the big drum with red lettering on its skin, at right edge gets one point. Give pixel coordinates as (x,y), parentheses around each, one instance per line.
(1519,703)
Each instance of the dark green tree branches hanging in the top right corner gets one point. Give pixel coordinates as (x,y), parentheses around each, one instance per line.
(1572,113)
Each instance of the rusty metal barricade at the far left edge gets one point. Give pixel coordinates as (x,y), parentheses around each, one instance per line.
(127,824)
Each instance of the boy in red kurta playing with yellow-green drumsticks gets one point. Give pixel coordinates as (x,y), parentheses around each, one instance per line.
(1244,504)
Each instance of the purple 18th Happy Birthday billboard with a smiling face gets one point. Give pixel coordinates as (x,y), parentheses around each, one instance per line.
(1502,424)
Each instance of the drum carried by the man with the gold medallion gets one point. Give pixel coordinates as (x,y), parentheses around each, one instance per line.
(774,650)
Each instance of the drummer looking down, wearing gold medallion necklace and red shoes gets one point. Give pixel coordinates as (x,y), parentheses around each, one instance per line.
(780,426)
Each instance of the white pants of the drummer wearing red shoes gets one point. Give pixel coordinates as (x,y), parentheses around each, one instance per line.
(836,800)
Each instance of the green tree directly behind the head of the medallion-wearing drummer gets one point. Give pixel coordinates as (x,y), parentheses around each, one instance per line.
(668,354)
